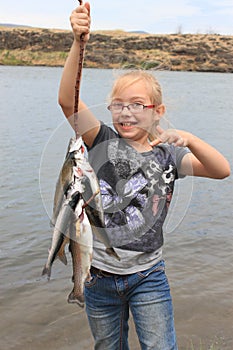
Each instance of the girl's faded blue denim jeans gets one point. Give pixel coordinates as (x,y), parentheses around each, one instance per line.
(146,294)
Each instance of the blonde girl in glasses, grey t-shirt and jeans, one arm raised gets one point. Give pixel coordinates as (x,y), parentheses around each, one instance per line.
(137,165)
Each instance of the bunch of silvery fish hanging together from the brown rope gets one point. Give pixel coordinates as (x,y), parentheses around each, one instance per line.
(77,215)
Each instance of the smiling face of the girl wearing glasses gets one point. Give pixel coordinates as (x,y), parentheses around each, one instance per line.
(136,125)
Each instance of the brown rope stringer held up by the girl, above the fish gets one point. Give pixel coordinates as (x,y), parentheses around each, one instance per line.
(78,80)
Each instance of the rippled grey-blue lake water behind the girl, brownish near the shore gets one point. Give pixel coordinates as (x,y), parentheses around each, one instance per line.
(198,239)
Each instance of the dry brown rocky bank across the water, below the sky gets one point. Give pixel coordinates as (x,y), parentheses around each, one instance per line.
(118,49)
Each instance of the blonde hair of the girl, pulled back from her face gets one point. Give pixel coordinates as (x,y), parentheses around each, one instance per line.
(154,90)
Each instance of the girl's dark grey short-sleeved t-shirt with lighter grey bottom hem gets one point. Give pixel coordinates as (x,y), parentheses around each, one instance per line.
(136,190)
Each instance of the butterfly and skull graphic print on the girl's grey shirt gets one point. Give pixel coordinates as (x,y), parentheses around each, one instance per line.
(136,192)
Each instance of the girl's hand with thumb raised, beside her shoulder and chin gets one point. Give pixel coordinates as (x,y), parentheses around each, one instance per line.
(171,136)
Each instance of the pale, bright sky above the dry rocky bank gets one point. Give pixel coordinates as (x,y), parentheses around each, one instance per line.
(151,16)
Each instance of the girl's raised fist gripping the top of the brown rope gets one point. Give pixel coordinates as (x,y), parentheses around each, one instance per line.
(80,21)
